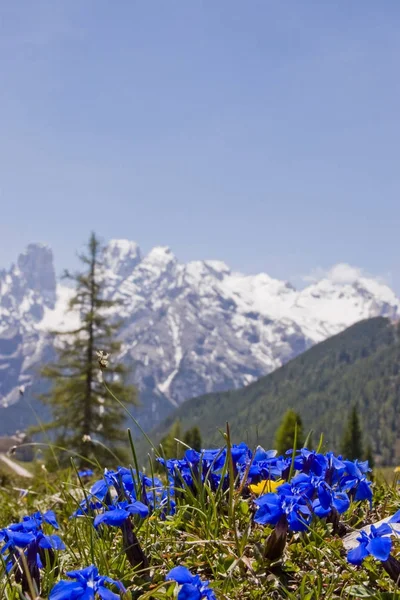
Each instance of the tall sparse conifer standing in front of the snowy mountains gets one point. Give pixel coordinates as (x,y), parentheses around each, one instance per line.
(85,416)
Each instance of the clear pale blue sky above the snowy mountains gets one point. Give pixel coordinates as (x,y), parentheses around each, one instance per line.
(262,133)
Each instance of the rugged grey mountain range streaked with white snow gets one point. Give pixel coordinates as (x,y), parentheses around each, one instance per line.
(188,328)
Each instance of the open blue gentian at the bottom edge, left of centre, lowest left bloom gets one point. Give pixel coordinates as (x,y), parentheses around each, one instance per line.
(88,585)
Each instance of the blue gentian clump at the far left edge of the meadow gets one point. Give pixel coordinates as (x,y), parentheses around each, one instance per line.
(28,537)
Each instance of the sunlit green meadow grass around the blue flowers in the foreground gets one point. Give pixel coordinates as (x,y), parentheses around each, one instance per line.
(212,533)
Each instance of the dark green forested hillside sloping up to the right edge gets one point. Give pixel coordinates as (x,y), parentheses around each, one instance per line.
(358,366)
